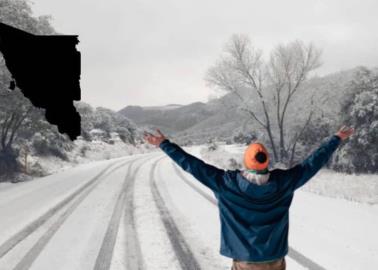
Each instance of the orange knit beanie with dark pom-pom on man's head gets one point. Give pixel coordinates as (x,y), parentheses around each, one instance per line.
(250,161)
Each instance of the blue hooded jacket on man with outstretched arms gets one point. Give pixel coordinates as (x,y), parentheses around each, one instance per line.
(254,219)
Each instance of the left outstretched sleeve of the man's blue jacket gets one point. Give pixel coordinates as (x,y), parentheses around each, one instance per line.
(207,174)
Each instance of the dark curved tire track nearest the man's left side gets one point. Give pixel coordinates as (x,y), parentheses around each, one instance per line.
(181,248)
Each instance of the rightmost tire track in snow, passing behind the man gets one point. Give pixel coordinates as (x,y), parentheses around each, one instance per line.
(293,254)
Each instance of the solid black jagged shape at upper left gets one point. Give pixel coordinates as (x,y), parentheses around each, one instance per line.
(47,70)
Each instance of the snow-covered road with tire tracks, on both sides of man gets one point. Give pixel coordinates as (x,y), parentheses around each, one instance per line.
(143,212)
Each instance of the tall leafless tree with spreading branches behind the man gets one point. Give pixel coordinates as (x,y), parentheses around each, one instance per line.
(270,84)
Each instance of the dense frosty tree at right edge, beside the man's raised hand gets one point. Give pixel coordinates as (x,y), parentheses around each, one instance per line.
(360,110)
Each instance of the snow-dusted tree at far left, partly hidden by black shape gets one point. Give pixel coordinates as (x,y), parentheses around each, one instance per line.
(15,110)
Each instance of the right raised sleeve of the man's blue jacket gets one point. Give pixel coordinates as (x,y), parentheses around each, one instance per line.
(303,172)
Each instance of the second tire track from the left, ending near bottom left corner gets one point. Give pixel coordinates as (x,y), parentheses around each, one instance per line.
(29,258)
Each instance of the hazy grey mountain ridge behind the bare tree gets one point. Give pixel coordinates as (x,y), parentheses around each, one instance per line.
(223,117)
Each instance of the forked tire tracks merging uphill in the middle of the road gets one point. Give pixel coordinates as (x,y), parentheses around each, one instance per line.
(124,203)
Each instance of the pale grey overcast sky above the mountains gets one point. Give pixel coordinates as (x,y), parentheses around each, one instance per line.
(157,52)
